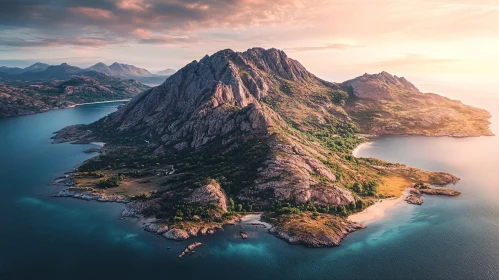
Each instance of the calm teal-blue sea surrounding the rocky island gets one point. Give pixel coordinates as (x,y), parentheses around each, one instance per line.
(42,237)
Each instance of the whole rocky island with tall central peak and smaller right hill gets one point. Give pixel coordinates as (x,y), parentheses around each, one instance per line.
(256,131)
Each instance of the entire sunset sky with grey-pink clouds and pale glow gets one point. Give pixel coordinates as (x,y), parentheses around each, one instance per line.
(431,41)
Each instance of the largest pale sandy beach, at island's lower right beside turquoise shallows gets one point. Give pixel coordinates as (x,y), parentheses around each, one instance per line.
(378,210)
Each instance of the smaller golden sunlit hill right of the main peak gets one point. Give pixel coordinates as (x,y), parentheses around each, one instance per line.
(383,104)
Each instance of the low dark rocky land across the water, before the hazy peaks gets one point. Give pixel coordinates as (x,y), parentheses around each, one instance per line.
(39,97)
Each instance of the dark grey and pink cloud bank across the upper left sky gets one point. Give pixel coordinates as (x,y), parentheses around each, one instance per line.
(152,21)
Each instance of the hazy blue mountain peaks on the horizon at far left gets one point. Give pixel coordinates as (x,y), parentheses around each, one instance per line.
(42,71)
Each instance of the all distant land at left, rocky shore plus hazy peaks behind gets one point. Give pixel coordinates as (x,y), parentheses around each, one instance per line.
(42,87)
